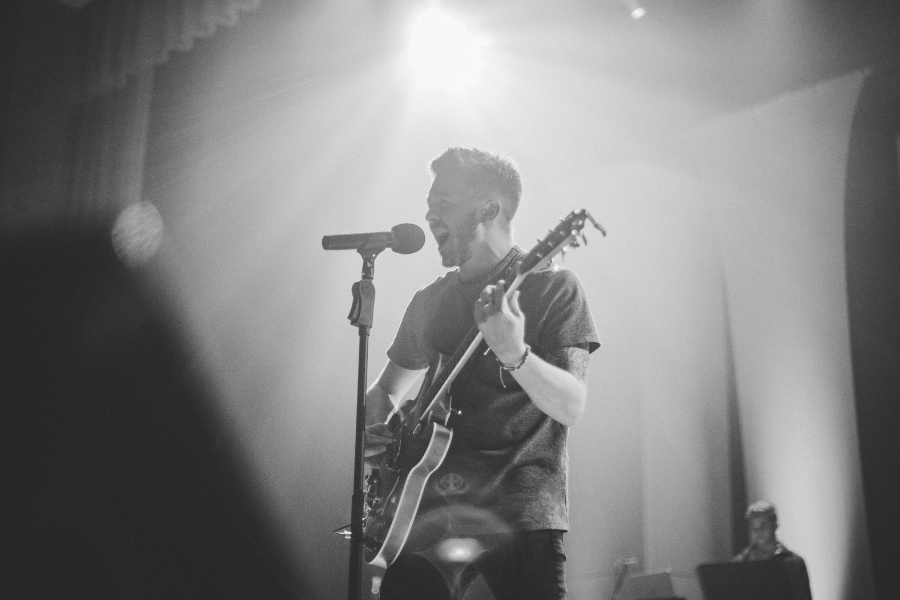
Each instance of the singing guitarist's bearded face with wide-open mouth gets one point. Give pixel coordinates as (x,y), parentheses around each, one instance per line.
(452,215)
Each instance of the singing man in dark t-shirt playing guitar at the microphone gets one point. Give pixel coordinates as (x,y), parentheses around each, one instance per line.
(501,489)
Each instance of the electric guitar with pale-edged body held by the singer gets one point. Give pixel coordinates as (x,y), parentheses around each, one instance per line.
(394,488)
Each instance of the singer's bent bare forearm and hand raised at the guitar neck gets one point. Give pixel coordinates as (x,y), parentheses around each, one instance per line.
(557,387)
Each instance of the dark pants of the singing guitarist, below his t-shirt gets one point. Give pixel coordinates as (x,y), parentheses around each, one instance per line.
(520,566)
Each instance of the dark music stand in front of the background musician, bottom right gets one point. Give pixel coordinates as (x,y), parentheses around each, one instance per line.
(755,580)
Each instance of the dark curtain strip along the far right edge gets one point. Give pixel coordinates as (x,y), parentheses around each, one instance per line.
(872,234)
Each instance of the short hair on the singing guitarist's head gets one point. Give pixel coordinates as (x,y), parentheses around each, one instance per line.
(496,173)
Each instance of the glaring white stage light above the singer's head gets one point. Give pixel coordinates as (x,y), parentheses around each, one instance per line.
(443,54)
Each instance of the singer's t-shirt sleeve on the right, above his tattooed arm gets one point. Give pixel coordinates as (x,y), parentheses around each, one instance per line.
(566,316)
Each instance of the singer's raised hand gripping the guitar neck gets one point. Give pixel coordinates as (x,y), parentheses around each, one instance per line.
(502,323)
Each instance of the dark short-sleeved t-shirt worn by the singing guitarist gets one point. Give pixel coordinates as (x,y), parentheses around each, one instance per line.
(506,467)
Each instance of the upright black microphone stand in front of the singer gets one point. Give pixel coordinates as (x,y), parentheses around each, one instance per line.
(361,316)
